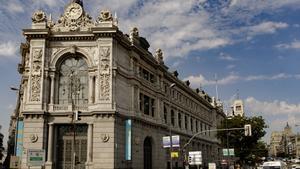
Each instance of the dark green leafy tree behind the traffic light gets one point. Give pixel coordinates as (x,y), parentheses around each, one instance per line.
(248,148)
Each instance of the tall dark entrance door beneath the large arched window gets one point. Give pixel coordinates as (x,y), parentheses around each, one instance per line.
(65,146)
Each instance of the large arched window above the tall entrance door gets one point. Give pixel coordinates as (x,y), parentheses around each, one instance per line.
(73,81)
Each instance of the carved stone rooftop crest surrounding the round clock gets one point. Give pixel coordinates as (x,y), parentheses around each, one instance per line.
(74,19)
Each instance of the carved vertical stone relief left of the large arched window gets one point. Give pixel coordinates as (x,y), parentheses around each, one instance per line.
(36,75)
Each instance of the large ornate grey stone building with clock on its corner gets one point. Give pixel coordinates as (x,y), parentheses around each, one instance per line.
(88,87)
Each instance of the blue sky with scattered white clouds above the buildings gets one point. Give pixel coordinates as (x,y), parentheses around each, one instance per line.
(250,47)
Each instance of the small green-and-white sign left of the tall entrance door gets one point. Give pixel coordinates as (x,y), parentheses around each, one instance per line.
(36,157)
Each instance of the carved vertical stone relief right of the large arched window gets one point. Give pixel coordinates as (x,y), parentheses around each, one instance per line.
(104,76)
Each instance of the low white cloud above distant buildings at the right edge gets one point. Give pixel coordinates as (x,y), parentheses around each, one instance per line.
(275,107)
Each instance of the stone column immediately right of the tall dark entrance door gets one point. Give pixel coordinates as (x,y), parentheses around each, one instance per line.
(89,158)
